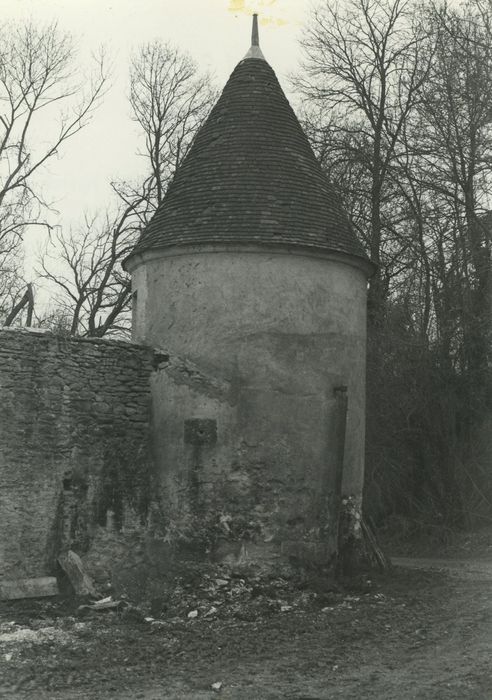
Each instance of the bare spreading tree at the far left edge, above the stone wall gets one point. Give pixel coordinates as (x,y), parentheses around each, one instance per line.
(37,78)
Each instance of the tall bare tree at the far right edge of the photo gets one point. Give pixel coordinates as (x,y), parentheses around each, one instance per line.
(457,153)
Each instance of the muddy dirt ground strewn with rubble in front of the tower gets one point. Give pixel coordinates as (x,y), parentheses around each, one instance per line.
(425,631)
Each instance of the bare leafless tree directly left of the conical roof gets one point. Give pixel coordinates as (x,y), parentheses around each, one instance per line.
(170,100)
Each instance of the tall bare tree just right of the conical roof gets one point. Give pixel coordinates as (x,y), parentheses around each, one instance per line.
(363,69)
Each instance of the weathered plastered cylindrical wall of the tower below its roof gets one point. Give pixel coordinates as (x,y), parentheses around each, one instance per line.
(253,444)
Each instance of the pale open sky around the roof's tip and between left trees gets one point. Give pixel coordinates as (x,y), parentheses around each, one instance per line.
(216,33)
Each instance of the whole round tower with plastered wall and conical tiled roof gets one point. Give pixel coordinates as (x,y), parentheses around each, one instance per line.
(251,274)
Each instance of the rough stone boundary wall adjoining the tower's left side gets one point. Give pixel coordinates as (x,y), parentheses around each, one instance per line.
(74,421)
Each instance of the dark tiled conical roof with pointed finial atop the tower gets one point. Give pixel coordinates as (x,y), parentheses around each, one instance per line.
(251,177)
